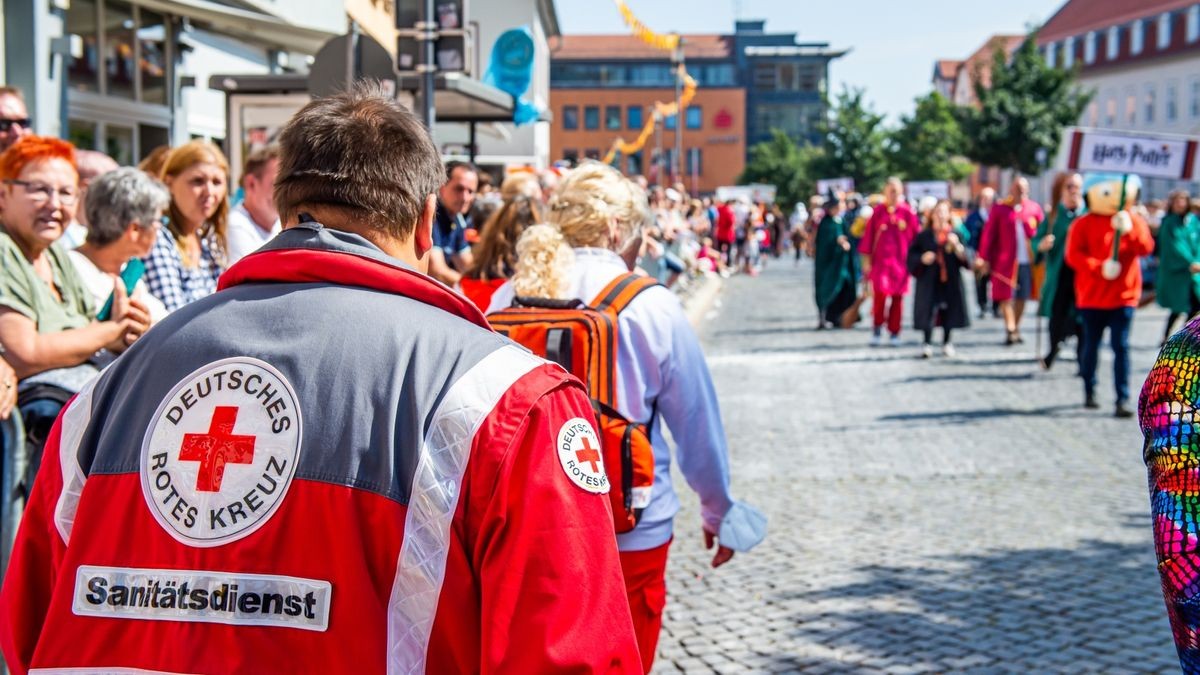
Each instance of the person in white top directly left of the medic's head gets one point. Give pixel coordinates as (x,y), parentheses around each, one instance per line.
(256,220)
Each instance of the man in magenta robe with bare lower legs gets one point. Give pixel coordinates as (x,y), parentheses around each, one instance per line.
(1006,254)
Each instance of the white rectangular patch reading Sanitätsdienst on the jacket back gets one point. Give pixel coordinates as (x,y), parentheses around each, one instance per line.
(207,598)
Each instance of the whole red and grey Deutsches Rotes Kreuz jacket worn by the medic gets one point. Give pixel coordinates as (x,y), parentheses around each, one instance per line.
(329,467)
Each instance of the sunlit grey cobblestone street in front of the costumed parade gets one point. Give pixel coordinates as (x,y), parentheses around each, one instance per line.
(950,516)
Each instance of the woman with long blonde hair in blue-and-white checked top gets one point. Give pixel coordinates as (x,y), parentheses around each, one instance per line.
(190,253)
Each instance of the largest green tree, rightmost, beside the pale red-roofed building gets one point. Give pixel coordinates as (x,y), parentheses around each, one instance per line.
(1022,115)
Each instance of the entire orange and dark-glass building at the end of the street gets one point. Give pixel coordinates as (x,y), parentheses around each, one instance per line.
(751,83)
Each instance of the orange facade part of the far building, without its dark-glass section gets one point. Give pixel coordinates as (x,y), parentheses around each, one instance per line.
(715,146)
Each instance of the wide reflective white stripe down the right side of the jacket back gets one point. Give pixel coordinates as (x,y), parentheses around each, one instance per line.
(435,498)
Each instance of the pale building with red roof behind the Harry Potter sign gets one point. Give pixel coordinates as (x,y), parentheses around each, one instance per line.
(1142,62)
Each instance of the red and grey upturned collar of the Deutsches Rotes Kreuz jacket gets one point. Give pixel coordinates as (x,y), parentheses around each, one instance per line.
(309,253)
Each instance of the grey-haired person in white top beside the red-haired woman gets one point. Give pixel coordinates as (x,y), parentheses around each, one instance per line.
(125,211)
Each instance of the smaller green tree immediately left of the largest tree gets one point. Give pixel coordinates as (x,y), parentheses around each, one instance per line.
(929,145)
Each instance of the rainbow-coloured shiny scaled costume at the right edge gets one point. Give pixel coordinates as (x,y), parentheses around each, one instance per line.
(1172,426)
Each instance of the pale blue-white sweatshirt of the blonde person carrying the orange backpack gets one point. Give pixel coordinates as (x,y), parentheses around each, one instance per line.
(662,373)
